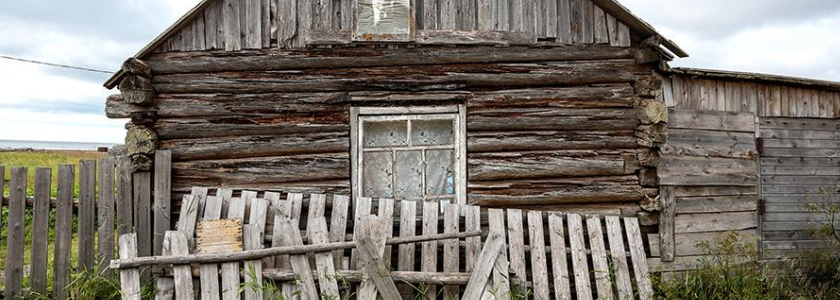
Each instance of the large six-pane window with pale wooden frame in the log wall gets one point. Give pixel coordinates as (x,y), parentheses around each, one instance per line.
(409,153)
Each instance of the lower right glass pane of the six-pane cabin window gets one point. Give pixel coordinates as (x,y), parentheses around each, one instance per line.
(440,177)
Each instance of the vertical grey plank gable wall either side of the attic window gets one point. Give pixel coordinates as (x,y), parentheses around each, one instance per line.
(260,24)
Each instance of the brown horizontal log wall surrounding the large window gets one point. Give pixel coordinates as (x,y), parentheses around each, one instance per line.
(545,126)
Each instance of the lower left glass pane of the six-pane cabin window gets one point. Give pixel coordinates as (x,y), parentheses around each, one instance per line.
(376,180)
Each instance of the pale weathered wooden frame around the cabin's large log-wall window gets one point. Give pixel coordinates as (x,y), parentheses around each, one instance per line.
(458,113)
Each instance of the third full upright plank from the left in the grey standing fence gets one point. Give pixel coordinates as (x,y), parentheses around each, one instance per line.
(63,231)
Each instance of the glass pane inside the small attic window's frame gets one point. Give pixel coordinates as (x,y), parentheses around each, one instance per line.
(383,17)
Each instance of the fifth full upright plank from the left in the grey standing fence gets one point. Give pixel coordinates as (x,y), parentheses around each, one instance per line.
(105,213)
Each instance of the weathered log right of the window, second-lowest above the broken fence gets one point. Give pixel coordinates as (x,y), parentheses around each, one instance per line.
(571,163)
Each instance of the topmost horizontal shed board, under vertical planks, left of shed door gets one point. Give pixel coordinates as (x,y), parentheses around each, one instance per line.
(709,120)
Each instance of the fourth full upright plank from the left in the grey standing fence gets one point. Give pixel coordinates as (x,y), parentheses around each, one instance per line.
(87,205)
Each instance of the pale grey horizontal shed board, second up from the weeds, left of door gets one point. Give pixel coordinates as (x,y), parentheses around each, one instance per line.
(686,223)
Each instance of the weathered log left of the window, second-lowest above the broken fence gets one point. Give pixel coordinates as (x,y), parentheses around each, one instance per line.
(293,168)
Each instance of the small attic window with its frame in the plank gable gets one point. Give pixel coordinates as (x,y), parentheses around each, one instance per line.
(384,20)
